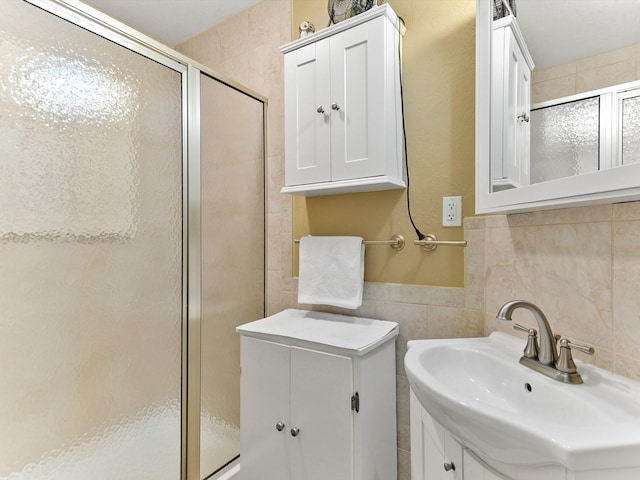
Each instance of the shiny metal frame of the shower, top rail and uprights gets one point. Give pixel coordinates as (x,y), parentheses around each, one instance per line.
(105,26)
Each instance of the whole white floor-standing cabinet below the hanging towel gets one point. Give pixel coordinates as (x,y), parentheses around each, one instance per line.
(317,398)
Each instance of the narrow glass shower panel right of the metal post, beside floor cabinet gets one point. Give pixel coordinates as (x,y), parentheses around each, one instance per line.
(233,257)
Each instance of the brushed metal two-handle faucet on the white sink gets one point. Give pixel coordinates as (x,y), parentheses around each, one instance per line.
(544,358)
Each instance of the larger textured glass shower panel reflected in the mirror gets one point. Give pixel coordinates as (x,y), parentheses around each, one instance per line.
(565,140)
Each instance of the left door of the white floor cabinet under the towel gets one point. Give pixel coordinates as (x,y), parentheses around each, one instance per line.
(264,402)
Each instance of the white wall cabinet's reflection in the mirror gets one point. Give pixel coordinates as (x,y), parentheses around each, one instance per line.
(510,106)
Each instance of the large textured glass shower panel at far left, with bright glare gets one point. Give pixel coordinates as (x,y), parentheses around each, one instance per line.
(90,253)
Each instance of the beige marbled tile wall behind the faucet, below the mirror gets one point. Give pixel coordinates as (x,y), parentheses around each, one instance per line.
(581,266)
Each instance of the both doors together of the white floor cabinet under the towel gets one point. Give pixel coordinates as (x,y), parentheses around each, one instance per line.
(295,413)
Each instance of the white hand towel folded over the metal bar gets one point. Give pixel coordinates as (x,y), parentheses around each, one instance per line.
(331,271)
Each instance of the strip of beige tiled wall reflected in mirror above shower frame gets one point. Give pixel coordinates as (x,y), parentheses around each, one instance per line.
(592,73)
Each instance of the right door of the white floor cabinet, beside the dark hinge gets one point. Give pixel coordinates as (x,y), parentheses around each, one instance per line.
(321,389)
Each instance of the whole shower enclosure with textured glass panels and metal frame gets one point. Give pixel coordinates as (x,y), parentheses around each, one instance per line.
(132,244)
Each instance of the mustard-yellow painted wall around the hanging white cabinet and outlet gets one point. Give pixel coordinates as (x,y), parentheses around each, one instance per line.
(439,76)
